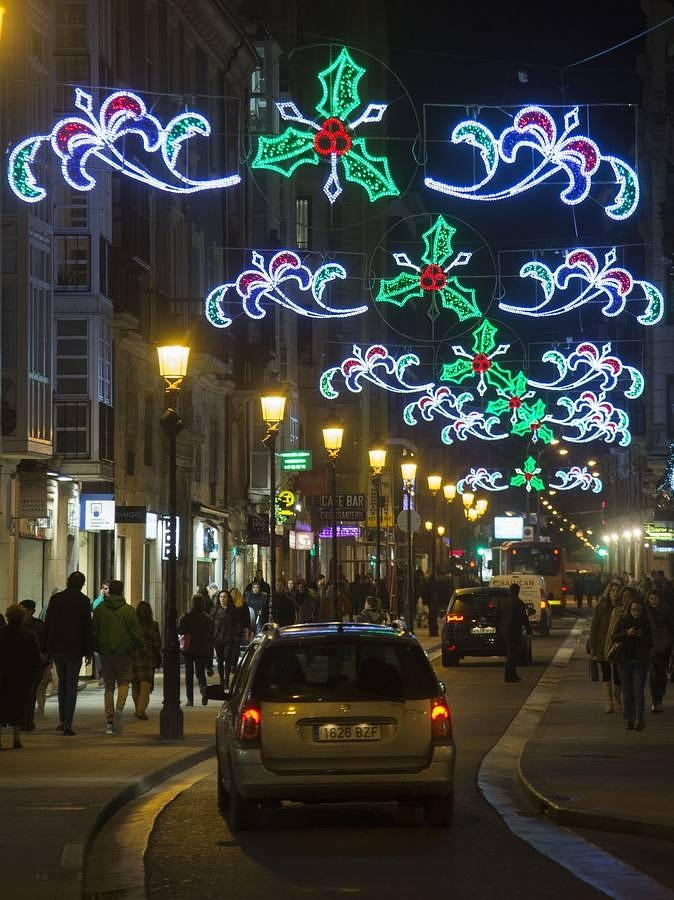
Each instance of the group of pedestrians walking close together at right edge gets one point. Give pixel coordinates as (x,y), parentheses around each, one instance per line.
(630,645)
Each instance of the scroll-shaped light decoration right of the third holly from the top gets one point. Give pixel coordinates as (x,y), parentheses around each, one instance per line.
(588,363)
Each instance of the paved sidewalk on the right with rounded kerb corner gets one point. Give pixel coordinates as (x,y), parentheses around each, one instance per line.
(585,770)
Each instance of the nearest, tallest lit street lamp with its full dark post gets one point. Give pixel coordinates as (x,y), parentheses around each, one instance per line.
(173,360)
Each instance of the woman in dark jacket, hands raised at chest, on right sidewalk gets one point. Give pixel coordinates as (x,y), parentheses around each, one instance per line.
(633,633)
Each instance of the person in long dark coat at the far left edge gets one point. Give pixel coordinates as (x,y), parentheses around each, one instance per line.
(20,664)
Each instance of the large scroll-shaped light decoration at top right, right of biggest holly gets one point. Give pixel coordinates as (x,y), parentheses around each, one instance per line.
(572,155)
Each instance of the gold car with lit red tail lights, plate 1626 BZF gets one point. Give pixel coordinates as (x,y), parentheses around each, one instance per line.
(334,713)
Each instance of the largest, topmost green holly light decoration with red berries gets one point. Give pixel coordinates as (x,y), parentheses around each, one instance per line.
(331,139)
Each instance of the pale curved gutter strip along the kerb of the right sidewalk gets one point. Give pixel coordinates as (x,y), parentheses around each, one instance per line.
(498,781)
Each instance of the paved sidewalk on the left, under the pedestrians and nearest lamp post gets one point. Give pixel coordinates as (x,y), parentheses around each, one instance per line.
(59,791)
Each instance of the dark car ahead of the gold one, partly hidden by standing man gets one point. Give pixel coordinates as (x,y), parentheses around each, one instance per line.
(471,626)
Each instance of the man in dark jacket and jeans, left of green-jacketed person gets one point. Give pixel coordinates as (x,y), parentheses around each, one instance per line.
(67,638)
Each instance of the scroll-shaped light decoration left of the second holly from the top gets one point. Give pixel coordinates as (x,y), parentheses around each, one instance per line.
(265,281)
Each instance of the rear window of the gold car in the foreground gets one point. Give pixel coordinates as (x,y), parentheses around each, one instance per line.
(344,670)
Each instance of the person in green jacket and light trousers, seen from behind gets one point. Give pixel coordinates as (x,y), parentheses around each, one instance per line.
(117,634)
